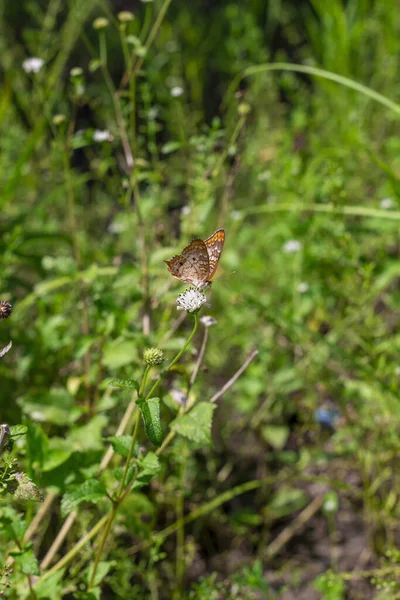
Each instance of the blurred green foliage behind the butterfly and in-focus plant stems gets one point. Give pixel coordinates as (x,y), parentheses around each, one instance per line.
(302,171)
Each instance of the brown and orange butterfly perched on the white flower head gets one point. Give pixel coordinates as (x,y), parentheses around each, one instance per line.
(199,260)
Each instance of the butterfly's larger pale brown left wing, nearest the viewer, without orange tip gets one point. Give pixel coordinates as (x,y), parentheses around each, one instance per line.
(192,266)
